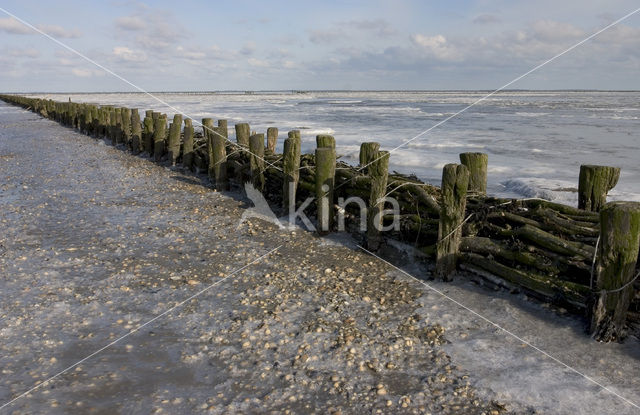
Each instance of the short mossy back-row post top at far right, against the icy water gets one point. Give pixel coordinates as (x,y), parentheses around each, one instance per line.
(594,184)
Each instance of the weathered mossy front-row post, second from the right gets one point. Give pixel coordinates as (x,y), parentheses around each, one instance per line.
(455,182)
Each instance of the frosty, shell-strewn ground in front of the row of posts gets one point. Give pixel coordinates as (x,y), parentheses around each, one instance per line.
(96,242)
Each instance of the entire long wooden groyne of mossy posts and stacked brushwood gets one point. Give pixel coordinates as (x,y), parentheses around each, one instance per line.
(581,258)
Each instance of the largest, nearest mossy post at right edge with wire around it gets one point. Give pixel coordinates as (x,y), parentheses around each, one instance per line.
(615,269)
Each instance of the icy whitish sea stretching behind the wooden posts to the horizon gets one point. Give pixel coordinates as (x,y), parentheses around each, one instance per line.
(536,140)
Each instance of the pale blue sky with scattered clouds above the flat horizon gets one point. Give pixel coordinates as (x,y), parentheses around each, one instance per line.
(281,45)
